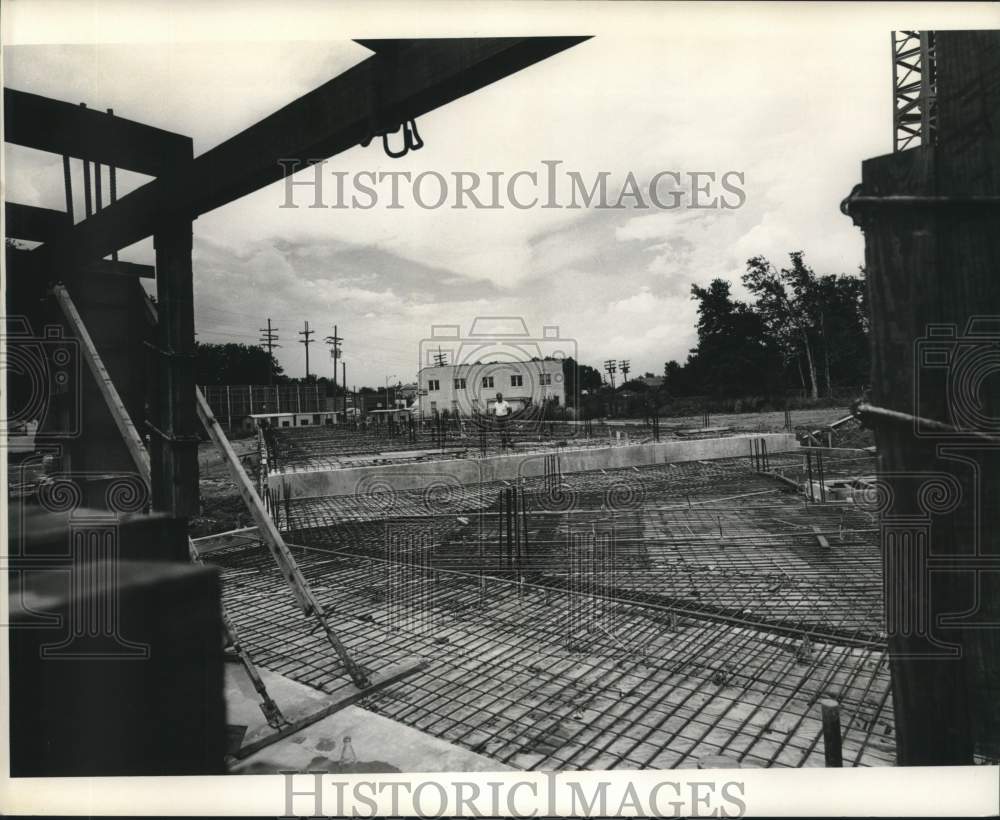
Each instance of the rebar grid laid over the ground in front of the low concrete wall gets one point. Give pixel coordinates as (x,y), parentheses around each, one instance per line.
(652,617)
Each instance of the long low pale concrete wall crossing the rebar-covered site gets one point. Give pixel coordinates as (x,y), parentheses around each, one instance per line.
(421,475)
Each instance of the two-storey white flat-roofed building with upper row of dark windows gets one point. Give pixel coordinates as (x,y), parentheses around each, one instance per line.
(472,388)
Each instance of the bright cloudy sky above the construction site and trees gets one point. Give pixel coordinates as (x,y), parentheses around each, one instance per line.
(794,101)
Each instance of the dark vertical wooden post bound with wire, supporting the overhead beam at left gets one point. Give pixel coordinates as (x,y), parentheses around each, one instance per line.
(174,441)
